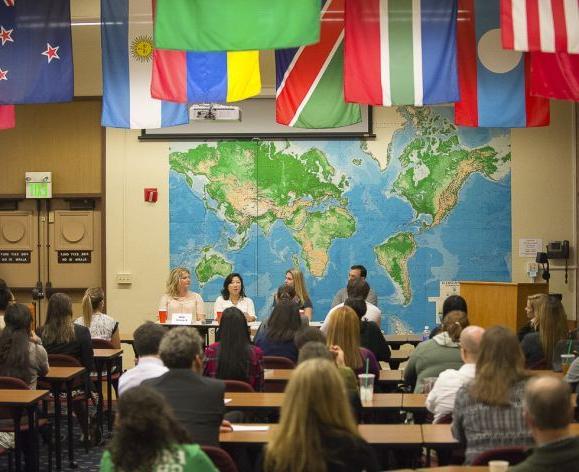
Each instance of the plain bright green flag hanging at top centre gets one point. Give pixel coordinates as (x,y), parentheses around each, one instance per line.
(236,25)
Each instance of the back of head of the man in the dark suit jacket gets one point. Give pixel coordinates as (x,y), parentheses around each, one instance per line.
(179,348)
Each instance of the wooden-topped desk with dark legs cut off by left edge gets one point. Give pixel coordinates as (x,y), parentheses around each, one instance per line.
(25,400)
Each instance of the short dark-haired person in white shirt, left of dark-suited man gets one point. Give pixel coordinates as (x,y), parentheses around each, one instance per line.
(147,338)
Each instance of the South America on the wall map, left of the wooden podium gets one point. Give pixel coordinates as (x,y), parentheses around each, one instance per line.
(393,255)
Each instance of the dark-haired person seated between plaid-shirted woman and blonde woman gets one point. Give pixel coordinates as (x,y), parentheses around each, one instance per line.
(275,336)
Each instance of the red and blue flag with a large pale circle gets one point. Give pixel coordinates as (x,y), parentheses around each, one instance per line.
(493,82)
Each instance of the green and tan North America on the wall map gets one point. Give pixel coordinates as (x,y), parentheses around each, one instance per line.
(435,165)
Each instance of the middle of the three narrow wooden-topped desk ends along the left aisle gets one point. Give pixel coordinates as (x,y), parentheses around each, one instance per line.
(56,376)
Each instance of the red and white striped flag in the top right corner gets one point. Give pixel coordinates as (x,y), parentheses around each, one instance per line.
(540,25)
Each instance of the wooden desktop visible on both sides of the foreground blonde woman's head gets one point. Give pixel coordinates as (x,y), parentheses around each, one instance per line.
(399,435)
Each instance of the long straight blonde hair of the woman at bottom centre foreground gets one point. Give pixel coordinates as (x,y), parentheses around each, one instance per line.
(315,403)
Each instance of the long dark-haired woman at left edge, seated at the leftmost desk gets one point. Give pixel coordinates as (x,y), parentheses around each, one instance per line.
(21,352)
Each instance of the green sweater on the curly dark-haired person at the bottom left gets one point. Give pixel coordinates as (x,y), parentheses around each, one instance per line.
(185,458)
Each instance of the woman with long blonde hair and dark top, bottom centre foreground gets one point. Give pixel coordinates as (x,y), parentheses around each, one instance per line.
(317,430)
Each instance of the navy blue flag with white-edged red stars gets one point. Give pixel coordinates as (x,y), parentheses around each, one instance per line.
(35,52)
